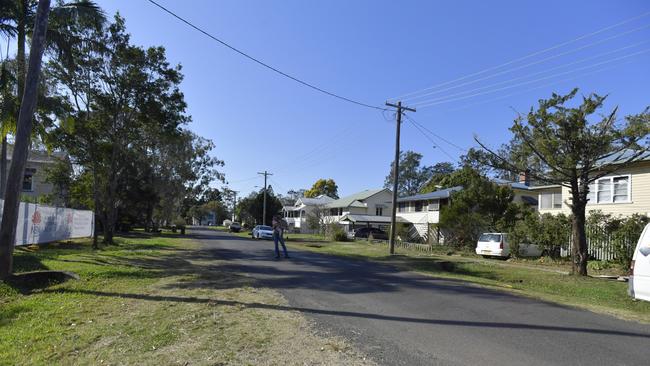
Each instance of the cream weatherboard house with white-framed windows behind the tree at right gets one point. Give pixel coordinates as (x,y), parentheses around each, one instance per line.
(623,193)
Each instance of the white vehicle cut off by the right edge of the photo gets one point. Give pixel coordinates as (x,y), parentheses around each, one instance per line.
(639,285)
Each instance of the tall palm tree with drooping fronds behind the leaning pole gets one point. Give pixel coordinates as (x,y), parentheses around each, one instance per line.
(17,20)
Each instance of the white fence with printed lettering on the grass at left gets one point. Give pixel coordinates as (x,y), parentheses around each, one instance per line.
(39,224)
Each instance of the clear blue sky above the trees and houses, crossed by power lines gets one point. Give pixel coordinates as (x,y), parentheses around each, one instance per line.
(372,50)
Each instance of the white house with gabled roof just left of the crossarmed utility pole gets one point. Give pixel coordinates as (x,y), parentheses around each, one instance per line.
(369,208)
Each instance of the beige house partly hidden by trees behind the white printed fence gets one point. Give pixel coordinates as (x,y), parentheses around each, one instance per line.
(34,183)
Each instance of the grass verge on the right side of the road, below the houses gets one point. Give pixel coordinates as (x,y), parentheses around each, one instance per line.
(604,296)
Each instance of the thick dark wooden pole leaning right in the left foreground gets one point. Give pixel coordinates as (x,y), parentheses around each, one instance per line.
(21,146)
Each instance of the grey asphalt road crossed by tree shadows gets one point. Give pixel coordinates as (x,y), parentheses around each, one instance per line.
(402,318)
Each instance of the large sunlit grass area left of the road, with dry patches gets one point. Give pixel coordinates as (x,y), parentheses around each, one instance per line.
(151,300)
